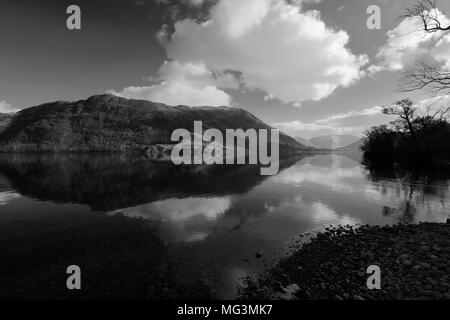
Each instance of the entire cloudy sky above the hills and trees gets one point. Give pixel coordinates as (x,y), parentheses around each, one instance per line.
(308,67)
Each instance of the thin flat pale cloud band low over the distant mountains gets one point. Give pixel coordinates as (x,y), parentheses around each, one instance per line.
(352,122)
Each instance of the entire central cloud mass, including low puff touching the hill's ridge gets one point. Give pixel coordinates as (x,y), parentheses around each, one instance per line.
(275,46)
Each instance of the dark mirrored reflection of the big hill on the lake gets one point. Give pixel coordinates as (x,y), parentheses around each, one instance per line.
(109,182)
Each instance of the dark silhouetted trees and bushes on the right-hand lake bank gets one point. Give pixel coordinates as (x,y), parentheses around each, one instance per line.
(412,137)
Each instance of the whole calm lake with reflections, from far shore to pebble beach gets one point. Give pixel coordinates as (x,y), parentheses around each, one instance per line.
(142,229)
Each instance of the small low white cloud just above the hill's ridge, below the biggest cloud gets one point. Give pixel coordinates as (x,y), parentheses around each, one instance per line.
(188,84)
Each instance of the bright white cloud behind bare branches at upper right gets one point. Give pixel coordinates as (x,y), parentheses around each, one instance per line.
(408,42)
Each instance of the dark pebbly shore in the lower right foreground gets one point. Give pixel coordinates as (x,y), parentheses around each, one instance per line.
(414,262)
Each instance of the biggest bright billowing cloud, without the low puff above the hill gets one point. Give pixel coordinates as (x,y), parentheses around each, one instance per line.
(277,48)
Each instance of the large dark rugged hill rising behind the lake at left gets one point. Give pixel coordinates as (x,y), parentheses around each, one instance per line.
(110,123)
